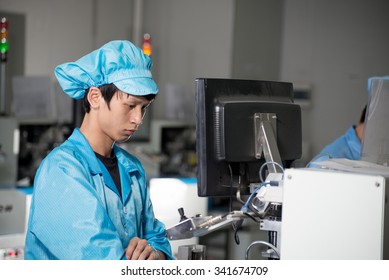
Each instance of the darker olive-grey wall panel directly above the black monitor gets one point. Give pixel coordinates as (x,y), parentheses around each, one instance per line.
(257,39)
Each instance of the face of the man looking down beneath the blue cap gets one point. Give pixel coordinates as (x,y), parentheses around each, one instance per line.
(123,118)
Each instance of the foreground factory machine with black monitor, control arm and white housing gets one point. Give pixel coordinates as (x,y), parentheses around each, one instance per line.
(338,210)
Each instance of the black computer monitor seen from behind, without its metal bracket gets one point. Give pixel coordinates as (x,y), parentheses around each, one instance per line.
(227,159)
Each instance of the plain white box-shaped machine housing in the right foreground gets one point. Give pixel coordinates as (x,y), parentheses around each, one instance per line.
(334,215)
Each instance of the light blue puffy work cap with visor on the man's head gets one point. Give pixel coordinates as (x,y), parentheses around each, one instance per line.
(118,62)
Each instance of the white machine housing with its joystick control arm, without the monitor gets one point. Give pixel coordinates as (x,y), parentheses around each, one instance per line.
(326,214)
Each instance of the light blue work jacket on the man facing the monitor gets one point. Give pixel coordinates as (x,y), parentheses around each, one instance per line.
(77,213)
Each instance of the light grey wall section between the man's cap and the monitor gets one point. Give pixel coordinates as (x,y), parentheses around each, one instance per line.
(191,39)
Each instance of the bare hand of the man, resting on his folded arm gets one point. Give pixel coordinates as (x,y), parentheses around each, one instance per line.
(139,249)
